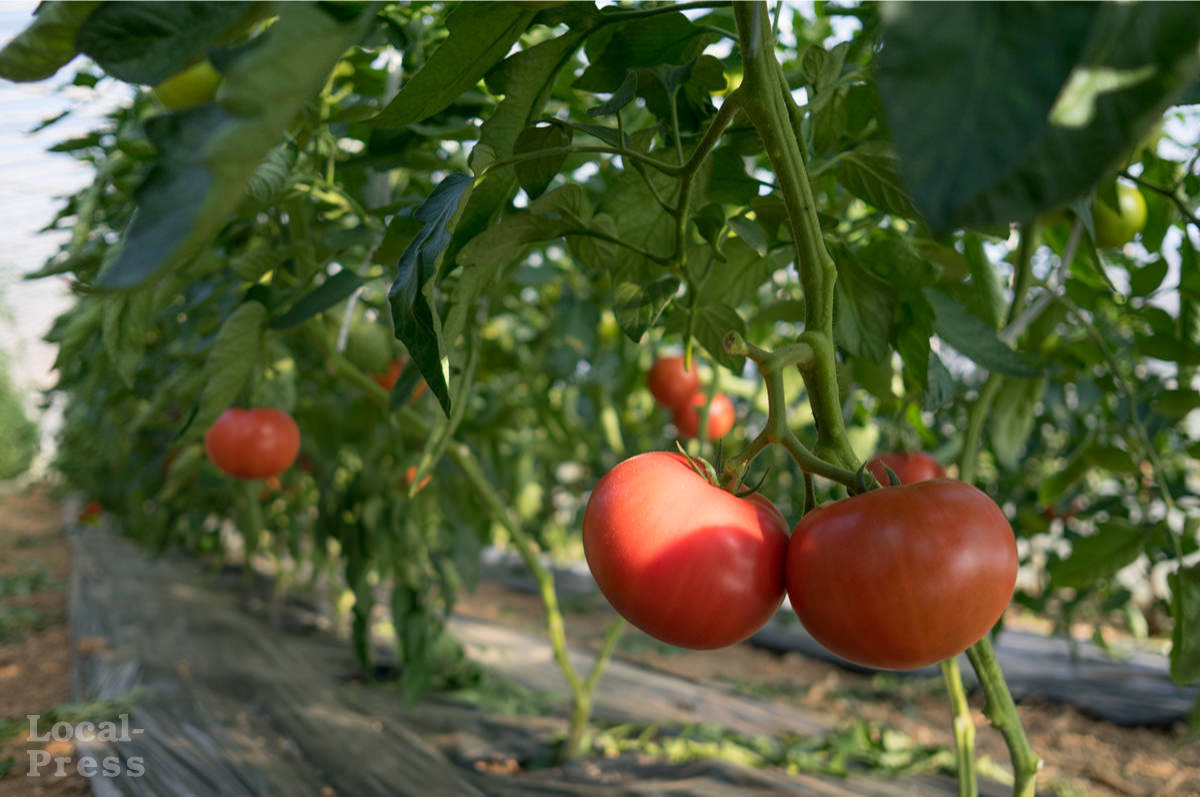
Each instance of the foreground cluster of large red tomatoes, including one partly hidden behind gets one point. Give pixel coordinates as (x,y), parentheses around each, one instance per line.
(898,578)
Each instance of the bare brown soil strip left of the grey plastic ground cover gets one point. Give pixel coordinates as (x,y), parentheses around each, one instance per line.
(35,567)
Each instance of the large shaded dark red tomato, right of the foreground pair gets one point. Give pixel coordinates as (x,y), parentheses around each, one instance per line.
(902,578)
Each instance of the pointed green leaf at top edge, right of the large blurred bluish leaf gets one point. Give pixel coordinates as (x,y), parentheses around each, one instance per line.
(481,35)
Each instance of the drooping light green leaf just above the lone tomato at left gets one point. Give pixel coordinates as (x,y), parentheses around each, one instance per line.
(235,356)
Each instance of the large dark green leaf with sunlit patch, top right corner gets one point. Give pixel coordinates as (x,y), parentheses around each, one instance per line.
(1060,93)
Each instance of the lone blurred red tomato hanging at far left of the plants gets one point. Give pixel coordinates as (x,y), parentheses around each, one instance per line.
(253,444)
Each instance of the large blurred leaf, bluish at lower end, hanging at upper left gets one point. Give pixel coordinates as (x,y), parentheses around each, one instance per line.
(211,153)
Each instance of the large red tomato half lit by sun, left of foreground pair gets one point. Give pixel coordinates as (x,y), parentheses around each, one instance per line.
(682,560)
